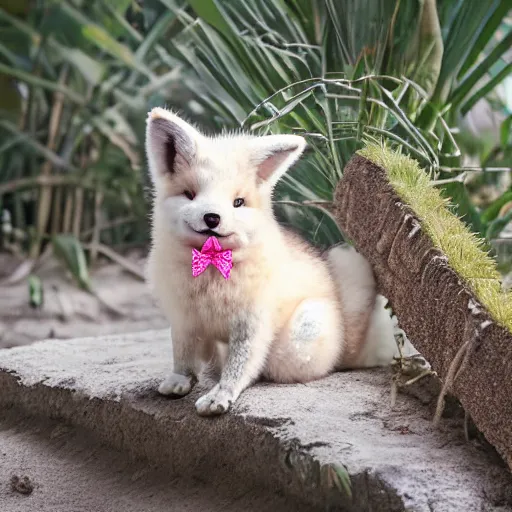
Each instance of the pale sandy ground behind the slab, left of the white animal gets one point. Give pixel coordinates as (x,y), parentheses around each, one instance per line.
(69,312)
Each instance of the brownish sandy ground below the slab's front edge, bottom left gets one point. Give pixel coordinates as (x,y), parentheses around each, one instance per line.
(51,467)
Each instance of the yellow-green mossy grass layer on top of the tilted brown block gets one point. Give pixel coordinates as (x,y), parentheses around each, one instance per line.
(464,250)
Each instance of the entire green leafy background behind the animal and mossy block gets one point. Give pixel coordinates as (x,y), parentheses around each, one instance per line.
(77,78)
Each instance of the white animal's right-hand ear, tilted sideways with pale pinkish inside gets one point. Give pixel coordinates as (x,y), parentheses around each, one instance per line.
(273,155)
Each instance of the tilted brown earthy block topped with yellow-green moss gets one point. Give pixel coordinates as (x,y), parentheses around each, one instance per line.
(444,288)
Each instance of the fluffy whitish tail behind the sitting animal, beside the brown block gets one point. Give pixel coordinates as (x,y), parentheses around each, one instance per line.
(369,330)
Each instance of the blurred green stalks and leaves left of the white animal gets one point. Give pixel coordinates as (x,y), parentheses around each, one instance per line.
(76,80)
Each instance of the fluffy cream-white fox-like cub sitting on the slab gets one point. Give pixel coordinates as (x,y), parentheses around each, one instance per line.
(287,313)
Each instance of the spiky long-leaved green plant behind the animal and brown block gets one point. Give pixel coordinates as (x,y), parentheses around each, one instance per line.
(340,72)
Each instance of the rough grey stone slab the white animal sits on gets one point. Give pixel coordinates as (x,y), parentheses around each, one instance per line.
(286,438)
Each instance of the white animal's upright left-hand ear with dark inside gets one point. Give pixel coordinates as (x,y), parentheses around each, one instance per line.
(170,143)
